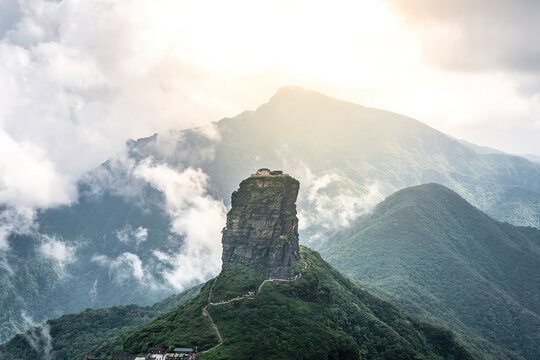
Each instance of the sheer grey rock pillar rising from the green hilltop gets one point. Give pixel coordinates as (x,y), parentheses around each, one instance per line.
(262,227)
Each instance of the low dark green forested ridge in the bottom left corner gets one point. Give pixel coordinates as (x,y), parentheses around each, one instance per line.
(91,331)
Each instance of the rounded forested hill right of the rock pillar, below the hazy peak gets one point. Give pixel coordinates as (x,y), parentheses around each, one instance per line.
(438,257)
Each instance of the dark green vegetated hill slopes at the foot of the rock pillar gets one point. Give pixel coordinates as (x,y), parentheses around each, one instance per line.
(321,315)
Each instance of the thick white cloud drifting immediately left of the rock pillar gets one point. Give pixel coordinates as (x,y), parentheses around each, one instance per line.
(196,216)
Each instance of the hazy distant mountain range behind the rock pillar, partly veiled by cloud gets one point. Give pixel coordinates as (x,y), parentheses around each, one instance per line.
(125,232)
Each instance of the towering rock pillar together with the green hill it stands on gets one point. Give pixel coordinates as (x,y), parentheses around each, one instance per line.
(272,302)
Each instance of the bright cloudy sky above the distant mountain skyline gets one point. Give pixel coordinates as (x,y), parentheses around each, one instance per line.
(79,77)
